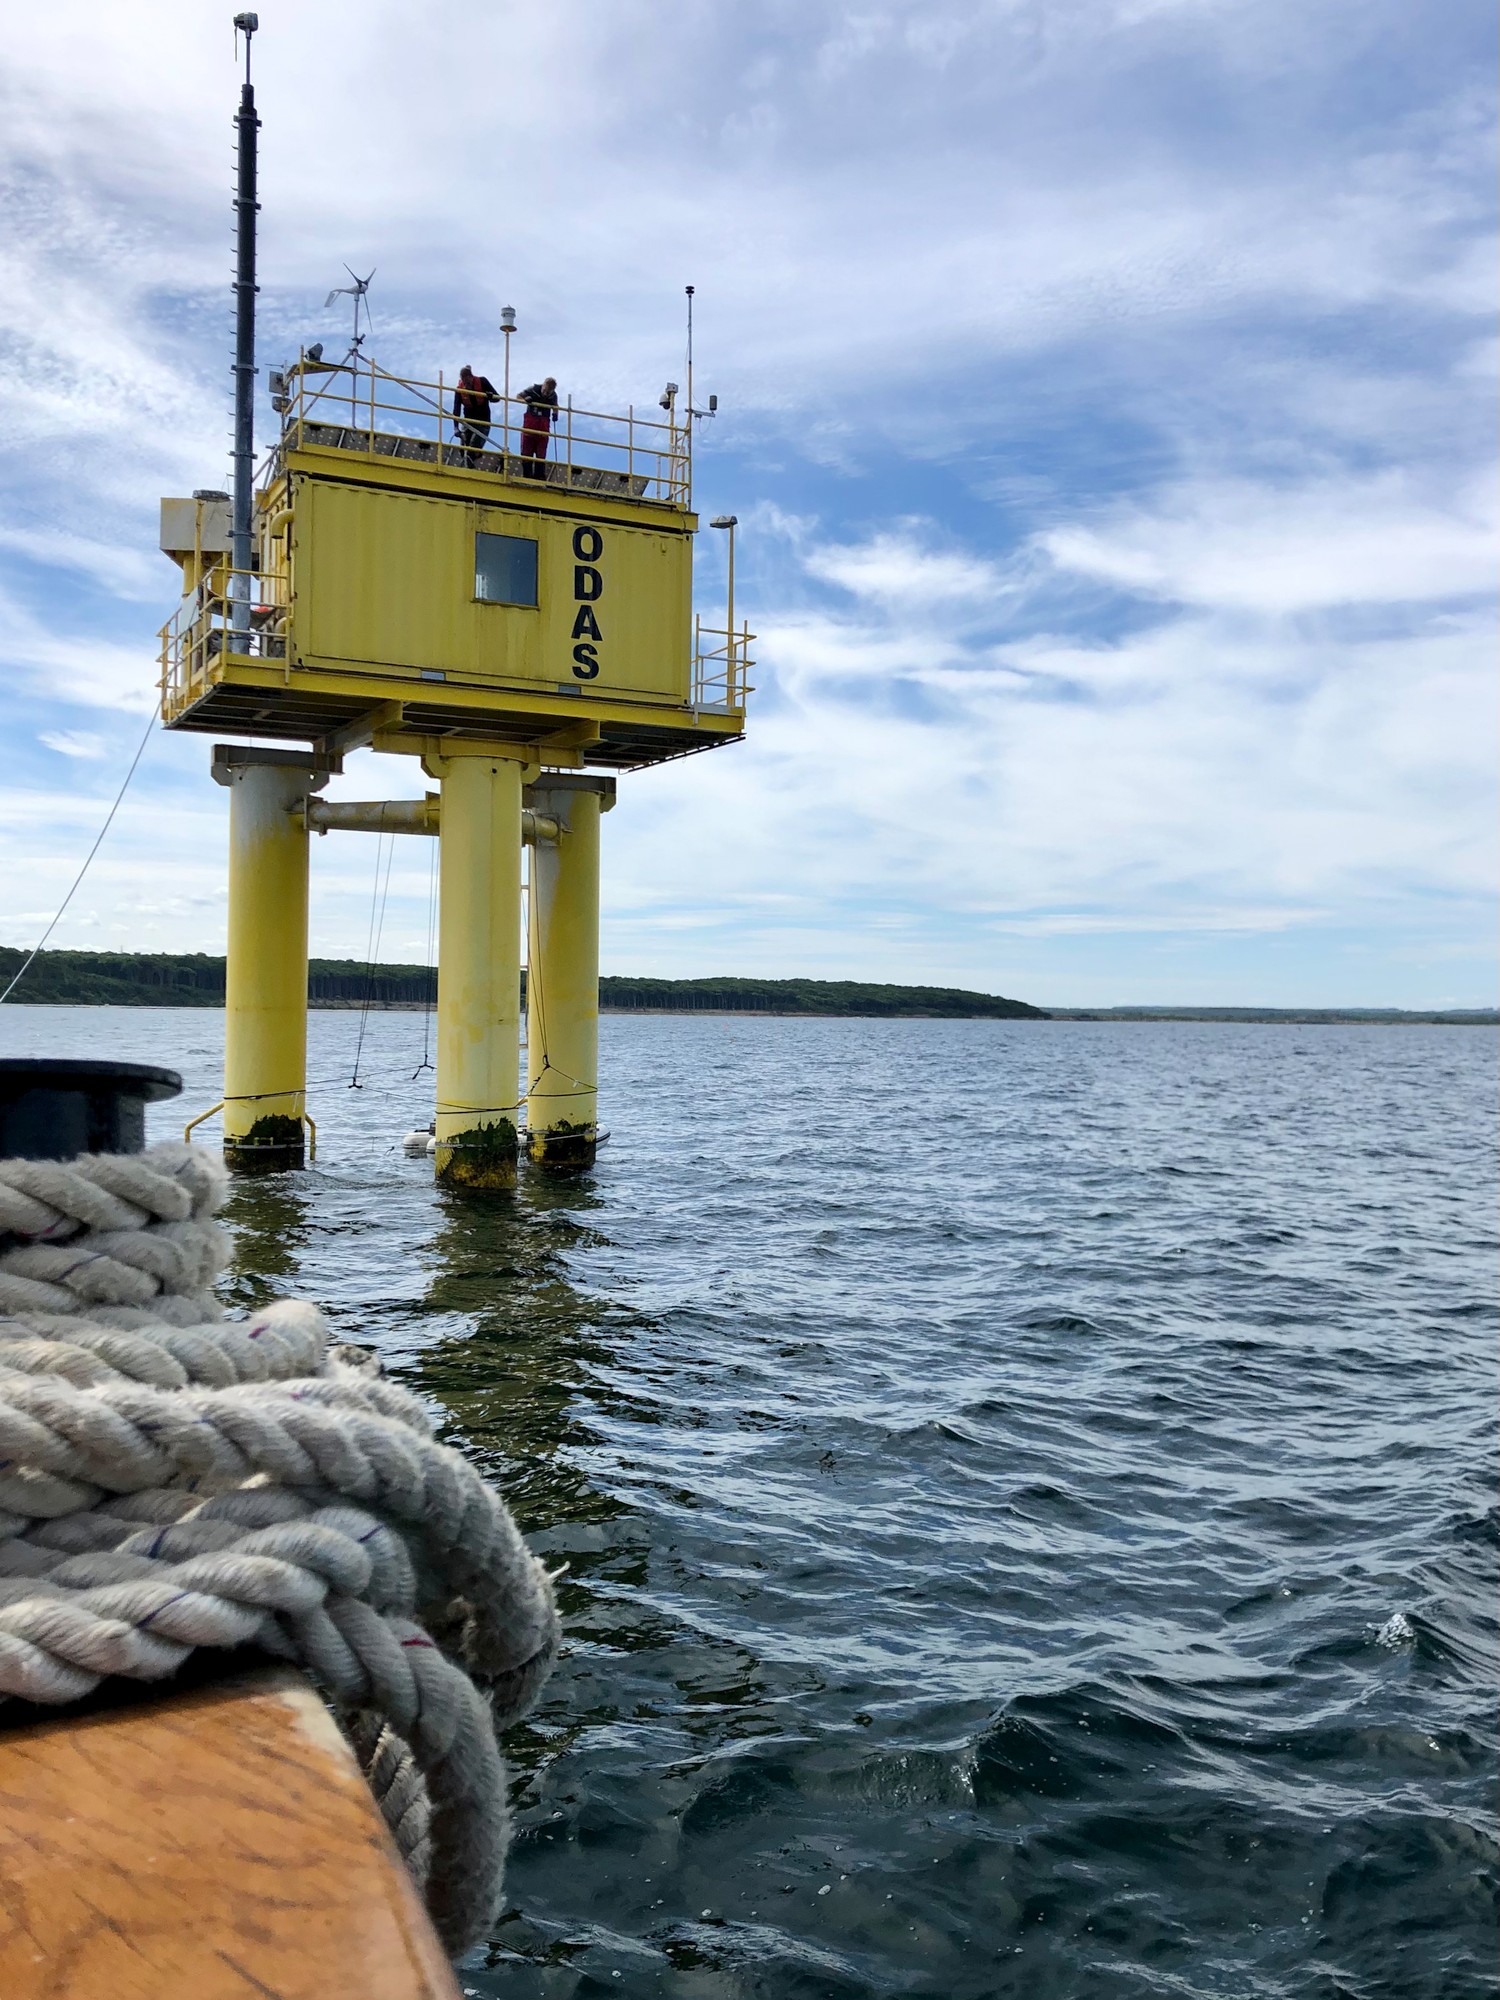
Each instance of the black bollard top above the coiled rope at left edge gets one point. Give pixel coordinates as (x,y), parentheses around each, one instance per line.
(59,1109)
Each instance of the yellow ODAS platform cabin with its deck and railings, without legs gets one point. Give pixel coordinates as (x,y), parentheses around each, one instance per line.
(411,589)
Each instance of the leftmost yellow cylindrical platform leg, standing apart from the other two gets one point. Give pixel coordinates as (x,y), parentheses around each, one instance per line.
(267,961)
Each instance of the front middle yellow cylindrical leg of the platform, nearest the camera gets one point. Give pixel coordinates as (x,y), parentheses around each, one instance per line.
(479,967)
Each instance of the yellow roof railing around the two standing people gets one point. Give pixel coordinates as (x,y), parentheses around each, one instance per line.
(359,407)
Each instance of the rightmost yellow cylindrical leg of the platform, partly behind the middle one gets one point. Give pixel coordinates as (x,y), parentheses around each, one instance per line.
(563,977)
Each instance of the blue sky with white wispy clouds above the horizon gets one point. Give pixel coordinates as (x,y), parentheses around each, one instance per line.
(1105,395)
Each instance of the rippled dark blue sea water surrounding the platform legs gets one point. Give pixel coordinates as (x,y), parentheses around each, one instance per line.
(1027,1493)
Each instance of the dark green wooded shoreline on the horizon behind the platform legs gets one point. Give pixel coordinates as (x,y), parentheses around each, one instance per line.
(195,979)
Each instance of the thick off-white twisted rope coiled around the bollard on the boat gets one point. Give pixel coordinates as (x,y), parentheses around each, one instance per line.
(171,1481)
